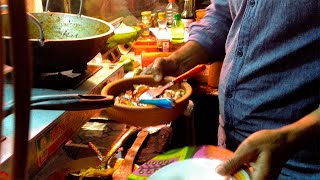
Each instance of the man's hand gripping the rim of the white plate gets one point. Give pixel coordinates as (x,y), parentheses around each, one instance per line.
(265,151)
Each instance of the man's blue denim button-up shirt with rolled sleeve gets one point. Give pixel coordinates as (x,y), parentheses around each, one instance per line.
(271,70)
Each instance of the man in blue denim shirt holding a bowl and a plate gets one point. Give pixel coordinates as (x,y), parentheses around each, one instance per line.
(269,84)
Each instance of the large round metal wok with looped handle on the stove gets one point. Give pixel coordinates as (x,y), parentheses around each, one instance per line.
(69,41)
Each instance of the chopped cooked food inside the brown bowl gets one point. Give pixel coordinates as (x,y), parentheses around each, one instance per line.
(131,97)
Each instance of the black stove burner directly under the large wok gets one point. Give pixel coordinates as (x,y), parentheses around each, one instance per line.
(65,80)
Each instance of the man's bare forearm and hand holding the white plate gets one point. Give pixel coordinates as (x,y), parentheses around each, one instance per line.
(266,151)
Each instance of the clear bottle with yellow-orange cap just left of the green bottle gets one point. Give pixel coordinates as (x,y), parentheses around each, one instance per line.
(163,35)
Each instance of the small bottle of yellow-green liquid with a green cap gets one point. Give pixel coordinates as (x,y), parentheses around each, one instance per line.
(177,29)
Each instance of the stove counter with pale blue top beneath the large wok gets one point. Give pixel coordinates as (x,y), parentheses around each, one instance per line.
(51,129)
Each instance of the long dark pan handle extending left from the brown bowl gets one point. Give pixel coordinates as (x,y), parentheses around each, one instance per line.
(67,102)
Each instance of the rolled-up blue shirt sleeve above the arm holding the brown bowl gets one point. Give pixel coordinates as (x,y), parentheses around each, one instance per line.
(211,32)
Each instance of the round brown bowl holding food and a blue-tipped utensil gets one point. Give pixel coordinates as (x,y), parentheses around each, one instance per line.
(144,116)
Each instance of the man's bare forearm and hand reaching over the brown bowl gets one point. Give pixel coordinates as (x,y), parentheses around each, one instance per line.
(180,61)
